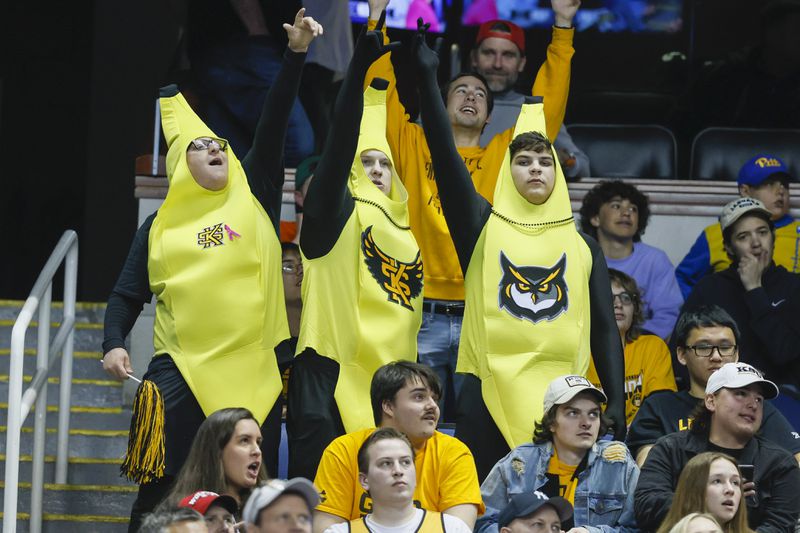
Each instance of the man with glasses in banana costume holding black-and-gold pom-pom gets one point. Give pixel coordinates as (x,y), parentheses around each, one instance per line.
(210,255)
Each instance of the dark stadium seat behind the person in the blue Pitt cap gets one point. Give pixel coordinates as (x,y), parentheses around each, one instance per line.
(718,153)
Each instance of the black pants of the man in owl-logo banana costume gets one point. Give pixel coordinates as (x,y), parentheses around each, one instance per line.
(476,428)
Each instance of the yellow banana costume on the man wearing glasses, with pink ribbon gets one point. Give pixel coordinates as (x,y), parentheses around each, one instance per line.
(214,265)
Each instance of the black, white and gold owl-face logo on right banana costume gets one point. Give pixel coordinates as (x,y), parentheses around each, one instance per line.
(531,292)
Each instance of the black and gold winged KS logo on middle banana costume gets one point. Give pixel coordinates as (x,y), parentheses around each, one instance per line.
(402,282)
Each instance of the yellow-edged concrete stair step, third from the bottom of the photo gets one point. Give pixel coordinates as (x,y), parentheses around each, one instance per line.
(80,470)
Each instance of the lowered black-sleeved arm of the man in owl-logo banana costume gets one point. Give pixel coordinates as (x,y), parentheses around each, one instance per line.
(604,339)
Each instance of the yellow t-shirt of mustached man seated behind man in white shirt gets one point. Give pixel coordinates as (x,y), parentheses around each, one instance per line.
(446,476)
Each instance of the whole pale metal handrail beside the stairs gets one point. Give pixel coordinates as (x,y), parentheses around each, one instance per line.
(19,404)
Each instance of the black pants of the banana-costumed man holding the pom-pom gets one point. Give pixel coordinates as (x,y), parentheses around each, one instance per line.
(182,419)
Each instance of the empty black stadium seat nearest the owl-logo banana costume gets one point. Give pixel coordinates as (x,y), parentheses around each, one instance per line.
(627,151)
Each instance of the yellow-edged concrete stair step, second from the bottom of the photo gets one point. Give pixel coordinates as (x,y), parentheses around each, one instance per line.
(108,500)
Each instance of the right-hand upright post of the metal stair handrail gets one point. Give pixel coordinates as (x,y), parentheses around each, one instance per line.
(65,389)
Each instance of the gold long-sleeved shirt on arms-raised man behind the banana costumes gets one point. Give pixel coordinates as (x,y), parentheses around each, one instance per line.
(443,276)
